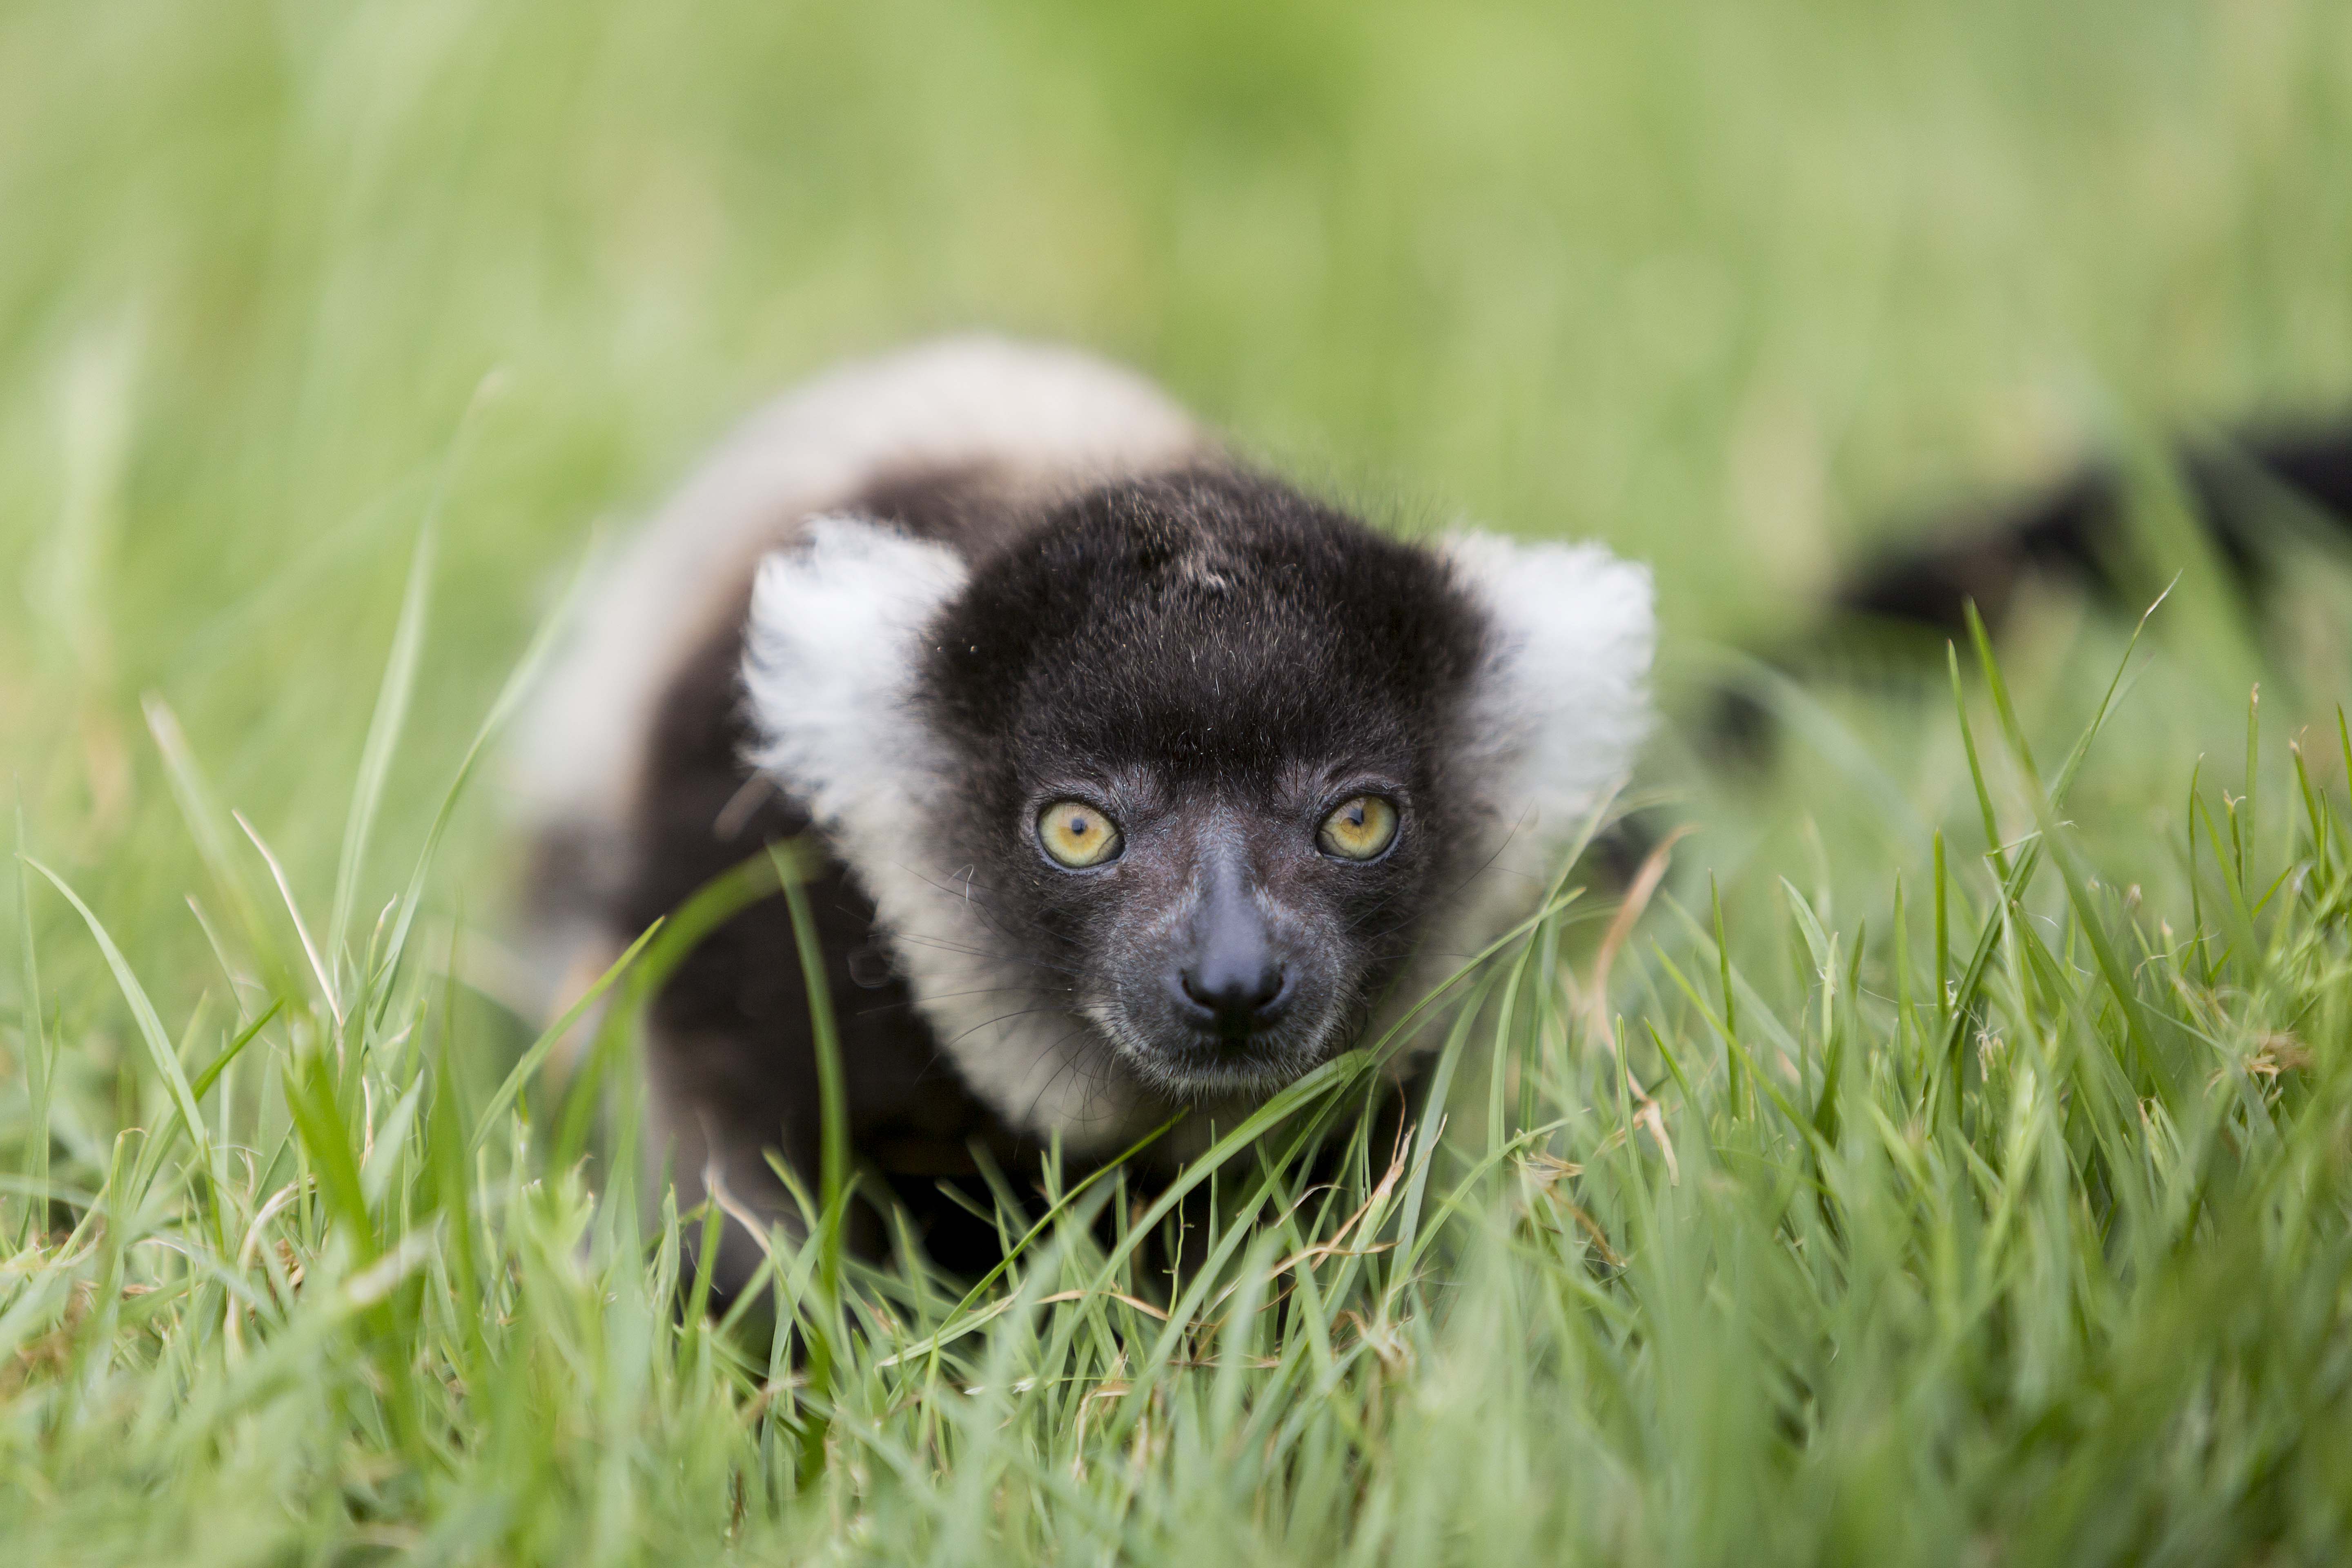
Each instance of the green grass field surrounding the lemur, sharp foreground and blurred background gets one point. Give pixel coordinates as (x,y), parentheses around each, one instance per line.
(1953,1162)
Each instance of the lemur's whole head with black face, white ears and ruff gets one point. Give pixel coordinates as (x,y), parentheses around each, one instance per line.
(1177,782)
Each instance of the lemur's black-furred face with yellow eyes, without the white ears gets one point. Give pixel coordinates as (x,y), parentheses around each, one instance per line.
(1201,770)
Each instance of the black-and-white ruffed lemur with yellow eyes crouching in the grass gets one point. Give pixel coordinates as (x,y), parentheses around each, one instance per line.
(1142,779)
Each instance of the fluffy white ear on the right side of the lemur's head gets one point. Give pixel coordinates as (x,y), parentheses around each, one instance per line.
(1563,699)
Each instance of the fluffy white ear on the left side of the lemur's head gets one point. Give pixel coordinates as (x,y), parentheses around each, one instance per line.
(829,666)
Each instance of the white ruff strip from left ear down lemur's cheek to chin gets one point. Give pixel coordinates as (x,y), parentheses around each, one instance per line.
(831,652)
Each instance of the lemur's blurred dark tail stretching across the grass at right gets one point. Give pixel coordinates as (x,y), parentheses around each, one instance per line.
(2245,495)
